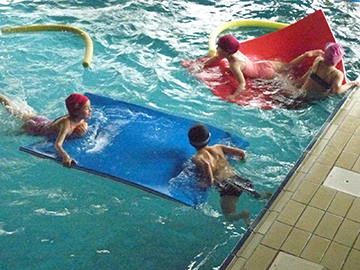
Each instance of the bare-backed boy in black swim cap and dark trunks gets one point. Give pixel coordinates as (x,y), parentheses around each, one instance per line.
(216,171)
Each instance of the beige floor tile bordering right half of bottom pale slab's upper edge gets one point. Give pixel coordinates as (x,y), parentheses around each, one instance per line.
(315,249)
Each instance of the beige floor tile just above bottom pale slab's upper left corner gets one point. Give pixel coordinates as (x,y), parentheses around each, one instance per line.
(276,235)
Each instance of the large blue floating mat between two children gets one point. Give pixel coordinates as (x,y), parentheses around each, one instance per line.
(138,146)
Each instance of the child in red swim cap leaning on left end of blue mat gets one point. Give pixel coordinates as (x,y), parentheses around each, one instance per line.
(71,125)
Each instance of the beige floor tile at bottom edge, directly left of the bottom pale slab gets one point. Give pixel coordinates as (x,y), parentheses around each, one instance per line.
(261,259)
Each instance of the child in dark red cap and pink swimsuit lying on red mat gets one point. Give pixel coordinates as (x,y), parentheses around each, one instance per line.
(242,67)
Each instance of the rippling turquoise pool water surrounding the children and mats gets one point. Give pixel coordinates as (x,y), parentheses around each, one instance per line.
(57,218)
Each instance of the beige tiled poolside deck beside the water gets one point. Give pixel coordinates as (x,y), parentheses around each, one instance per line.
(317,224)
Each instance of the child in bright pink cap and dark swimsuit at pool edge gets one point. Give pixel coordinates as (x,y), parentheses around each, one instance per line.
(323,78)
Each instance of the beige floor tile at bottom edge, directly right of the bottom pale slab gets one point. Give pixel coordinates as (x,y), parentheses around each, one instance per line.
(335,256)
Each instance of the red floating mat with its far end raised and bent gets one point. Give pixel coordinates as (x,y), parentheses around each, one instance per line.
(310,33)
